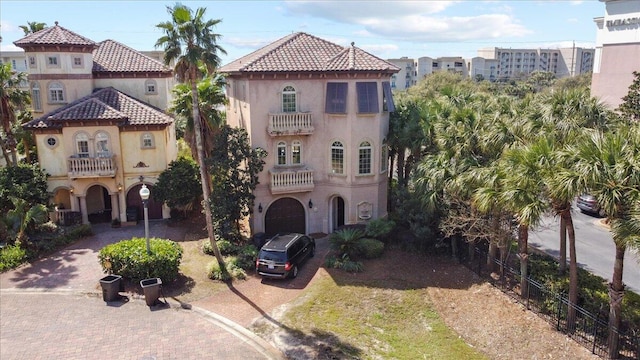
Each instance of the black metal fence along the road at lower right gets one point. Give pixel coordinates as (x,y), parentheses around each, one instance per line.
(589,330)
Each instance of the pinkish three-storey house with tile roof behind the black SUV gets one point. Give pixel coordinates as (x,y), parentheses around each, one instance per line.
(321,111)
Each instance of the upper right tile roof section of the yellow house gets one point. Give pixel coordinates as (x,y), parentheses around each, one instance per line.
(112,56)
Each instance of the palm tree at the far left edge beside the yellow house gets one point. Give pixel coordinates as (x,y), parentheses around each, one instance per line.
(12,99)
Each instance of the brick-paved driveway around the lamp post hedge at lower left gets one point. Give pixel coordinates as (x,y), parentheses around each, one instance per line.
(53,309)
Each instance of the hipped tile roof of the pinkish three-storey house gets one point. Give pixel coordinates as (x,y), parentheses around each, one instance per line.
(301,52)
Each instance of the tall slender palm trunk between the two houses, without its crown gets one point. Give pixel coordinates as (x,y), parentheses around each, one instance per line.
(204,176)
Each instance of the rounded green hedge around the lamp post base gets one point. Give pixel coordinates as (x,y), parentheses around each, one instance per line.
(129,259)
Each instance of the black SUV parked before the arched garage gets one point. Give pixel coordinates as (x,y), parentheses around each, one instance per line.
(282,254)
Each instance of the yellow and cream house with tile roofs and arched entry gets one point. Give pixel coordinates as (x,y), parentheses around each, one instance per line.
(99,123)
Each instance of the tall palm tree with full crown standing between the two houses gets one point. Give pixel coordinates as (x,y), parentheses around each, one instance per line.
(190,41)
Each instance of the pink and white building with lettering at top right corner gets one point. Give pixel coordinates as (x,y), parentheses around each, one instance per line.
(617,53)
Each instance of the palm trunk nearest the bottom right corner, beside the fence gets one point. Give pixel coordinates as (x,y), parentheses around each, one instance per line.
(616,293)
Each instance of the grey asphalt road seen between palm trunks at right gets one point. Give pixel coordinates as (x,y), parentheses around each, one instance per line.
(594,247)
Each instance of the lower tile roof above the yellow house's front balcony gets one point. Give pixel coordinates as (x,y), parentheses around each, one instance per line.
(103,104)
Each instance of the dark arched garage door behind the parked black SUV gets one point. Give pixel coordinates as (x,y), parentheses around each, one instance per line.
(285,215)
